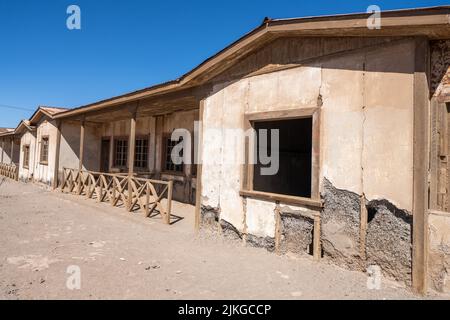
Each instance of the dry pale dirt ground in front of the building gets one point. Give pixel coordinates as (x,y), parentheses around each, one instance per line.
(126,256)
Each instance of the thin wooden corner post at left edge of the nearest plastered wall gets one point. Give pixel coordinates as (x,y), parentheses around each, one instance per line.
(199,160)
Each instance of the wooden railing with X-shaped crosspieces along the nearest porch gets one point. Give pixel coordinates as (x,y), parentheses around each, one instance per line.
(132,193)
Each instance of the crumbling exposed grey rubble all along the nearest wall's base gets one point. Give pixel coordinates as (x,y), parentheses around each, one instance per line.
(387,242)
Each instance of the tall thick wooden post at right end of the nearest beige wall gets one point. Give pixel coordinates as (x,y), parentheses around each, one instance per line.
(420,167)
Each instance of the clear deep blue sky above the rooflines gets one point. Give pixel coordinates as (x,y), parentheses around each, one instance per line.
(127,45)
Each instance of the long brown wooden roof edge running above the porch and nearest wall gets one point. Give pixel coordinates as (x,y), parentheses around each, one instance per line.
(433,23)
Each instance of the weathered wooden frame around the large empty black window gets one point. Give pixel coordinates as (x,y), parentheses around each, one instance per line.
(247,169)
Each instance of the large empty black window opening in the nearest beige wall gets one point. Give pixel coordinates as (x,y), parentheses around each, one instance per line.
(295,158)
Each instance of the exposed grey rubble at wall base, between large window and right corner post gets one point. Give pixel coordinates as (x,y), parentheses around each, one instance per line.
(388,238)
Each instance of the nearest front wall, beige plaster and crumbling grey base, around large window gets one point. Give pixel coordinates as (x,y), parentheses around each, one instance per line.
(366,132)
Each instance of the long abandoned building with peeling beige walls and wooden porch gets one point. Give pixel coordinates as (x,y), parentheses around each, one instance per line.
(363,119)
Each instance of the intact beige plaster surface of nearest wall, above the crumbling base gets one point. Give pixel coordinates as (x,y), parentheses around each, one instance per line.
(366,127)
